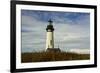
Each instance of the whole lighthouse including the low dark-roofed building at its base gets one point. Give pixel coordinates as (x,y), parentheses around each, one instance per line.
(50,38)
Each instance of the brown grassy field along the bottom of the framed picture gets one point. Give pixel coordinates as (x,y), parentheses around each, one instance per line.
(52,56)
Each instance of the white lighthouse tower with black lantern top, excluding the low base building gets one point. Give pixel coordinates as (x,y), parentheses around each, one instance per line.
(50,35)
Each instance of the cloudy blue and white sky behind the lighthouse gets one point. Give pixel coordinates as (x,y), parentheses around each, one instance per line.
(72,30)
